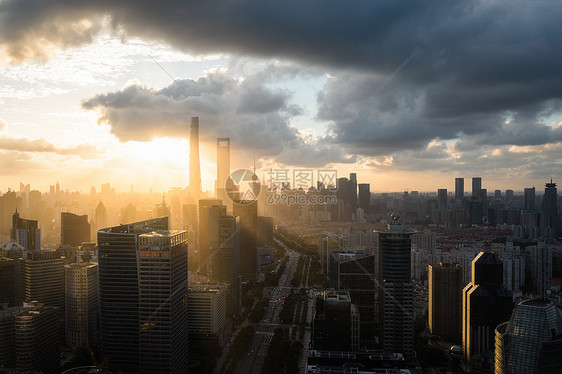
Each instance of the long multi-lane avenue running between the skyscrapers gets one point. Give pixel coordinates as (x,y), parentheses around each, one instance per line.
(253,361)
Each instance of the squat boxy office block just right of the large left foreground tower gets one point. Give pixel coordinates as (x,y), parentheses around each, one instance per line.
(207,313)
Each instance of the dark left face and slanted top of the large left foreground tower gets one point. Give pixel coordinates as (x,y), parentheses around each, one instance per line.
(119,291)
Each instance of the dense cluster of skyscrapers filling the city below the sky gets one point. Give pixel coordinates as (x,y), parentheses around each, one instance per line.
(127,293)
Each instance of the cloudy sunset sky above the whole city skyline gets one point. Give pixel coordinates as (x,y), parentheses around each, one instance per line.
(409,95)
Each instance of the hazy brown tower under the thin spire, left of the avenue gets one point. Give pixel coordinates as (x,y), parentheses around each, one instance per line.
(248,214)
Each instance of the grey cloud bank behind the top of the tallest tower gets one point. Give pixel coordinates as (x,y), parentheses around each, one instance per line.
(256,117)
